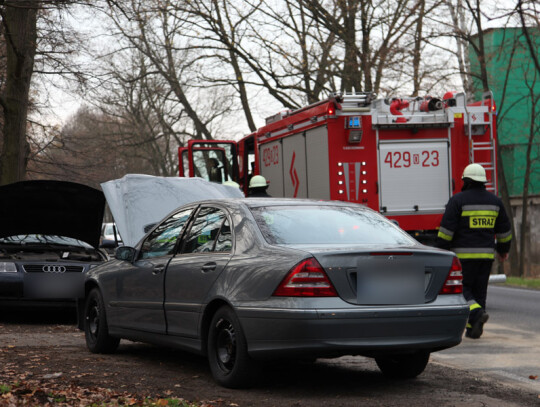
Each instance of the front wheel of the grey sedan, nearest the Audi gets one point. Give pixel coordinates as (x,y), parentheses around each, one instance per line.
(96,330)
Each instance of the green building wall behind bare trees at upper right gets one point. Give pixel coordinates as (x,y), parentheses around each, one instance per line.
(511,72)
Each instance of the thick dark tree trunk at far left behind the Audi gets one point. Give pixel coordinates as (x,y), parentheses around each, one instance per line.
(19,20)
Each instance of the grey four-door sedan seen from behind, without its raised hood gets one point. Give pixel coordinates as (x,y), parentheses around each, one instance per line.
(246,280)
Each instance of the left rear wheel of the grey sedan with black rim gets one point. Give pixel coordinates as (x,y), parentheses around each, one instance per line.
(228,358)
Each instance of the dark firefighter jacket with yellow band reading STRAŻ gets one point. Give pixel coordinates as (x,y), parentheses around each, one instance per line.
(472,220)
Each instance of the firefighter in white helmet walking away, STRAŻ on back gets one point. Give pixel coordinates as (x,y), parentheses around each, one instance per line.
(471,221)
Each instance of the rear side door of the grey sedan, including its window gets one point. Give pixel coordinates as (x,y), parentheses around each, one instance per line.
(206,249)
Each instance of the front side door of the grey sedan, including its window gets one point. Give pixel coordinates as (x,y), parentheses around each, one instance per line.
(139,286)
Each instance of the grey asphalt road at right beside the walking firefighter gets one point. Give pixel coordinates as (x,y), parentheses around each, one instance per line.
(509,349)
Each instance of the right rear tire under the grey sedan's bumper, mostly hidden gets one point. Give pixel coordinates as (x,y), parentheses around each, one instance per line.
(405,366)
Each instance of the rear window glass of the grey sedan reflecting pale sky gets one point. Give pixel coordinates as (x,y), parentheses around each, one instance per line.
(326,225)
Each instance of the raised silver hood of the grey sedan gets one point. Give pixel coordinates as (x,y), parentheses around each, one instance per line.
(137,201)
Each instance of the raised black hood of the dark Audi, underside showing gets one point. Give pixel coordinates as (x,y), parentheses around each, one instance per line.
(52,208)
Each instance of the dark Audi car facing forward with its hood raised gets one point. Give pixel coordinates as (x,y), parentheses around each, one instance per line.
(49,238)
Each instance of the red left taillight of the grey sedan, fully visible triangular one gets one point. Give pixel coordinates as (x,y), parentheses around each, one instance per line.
(306,279)
